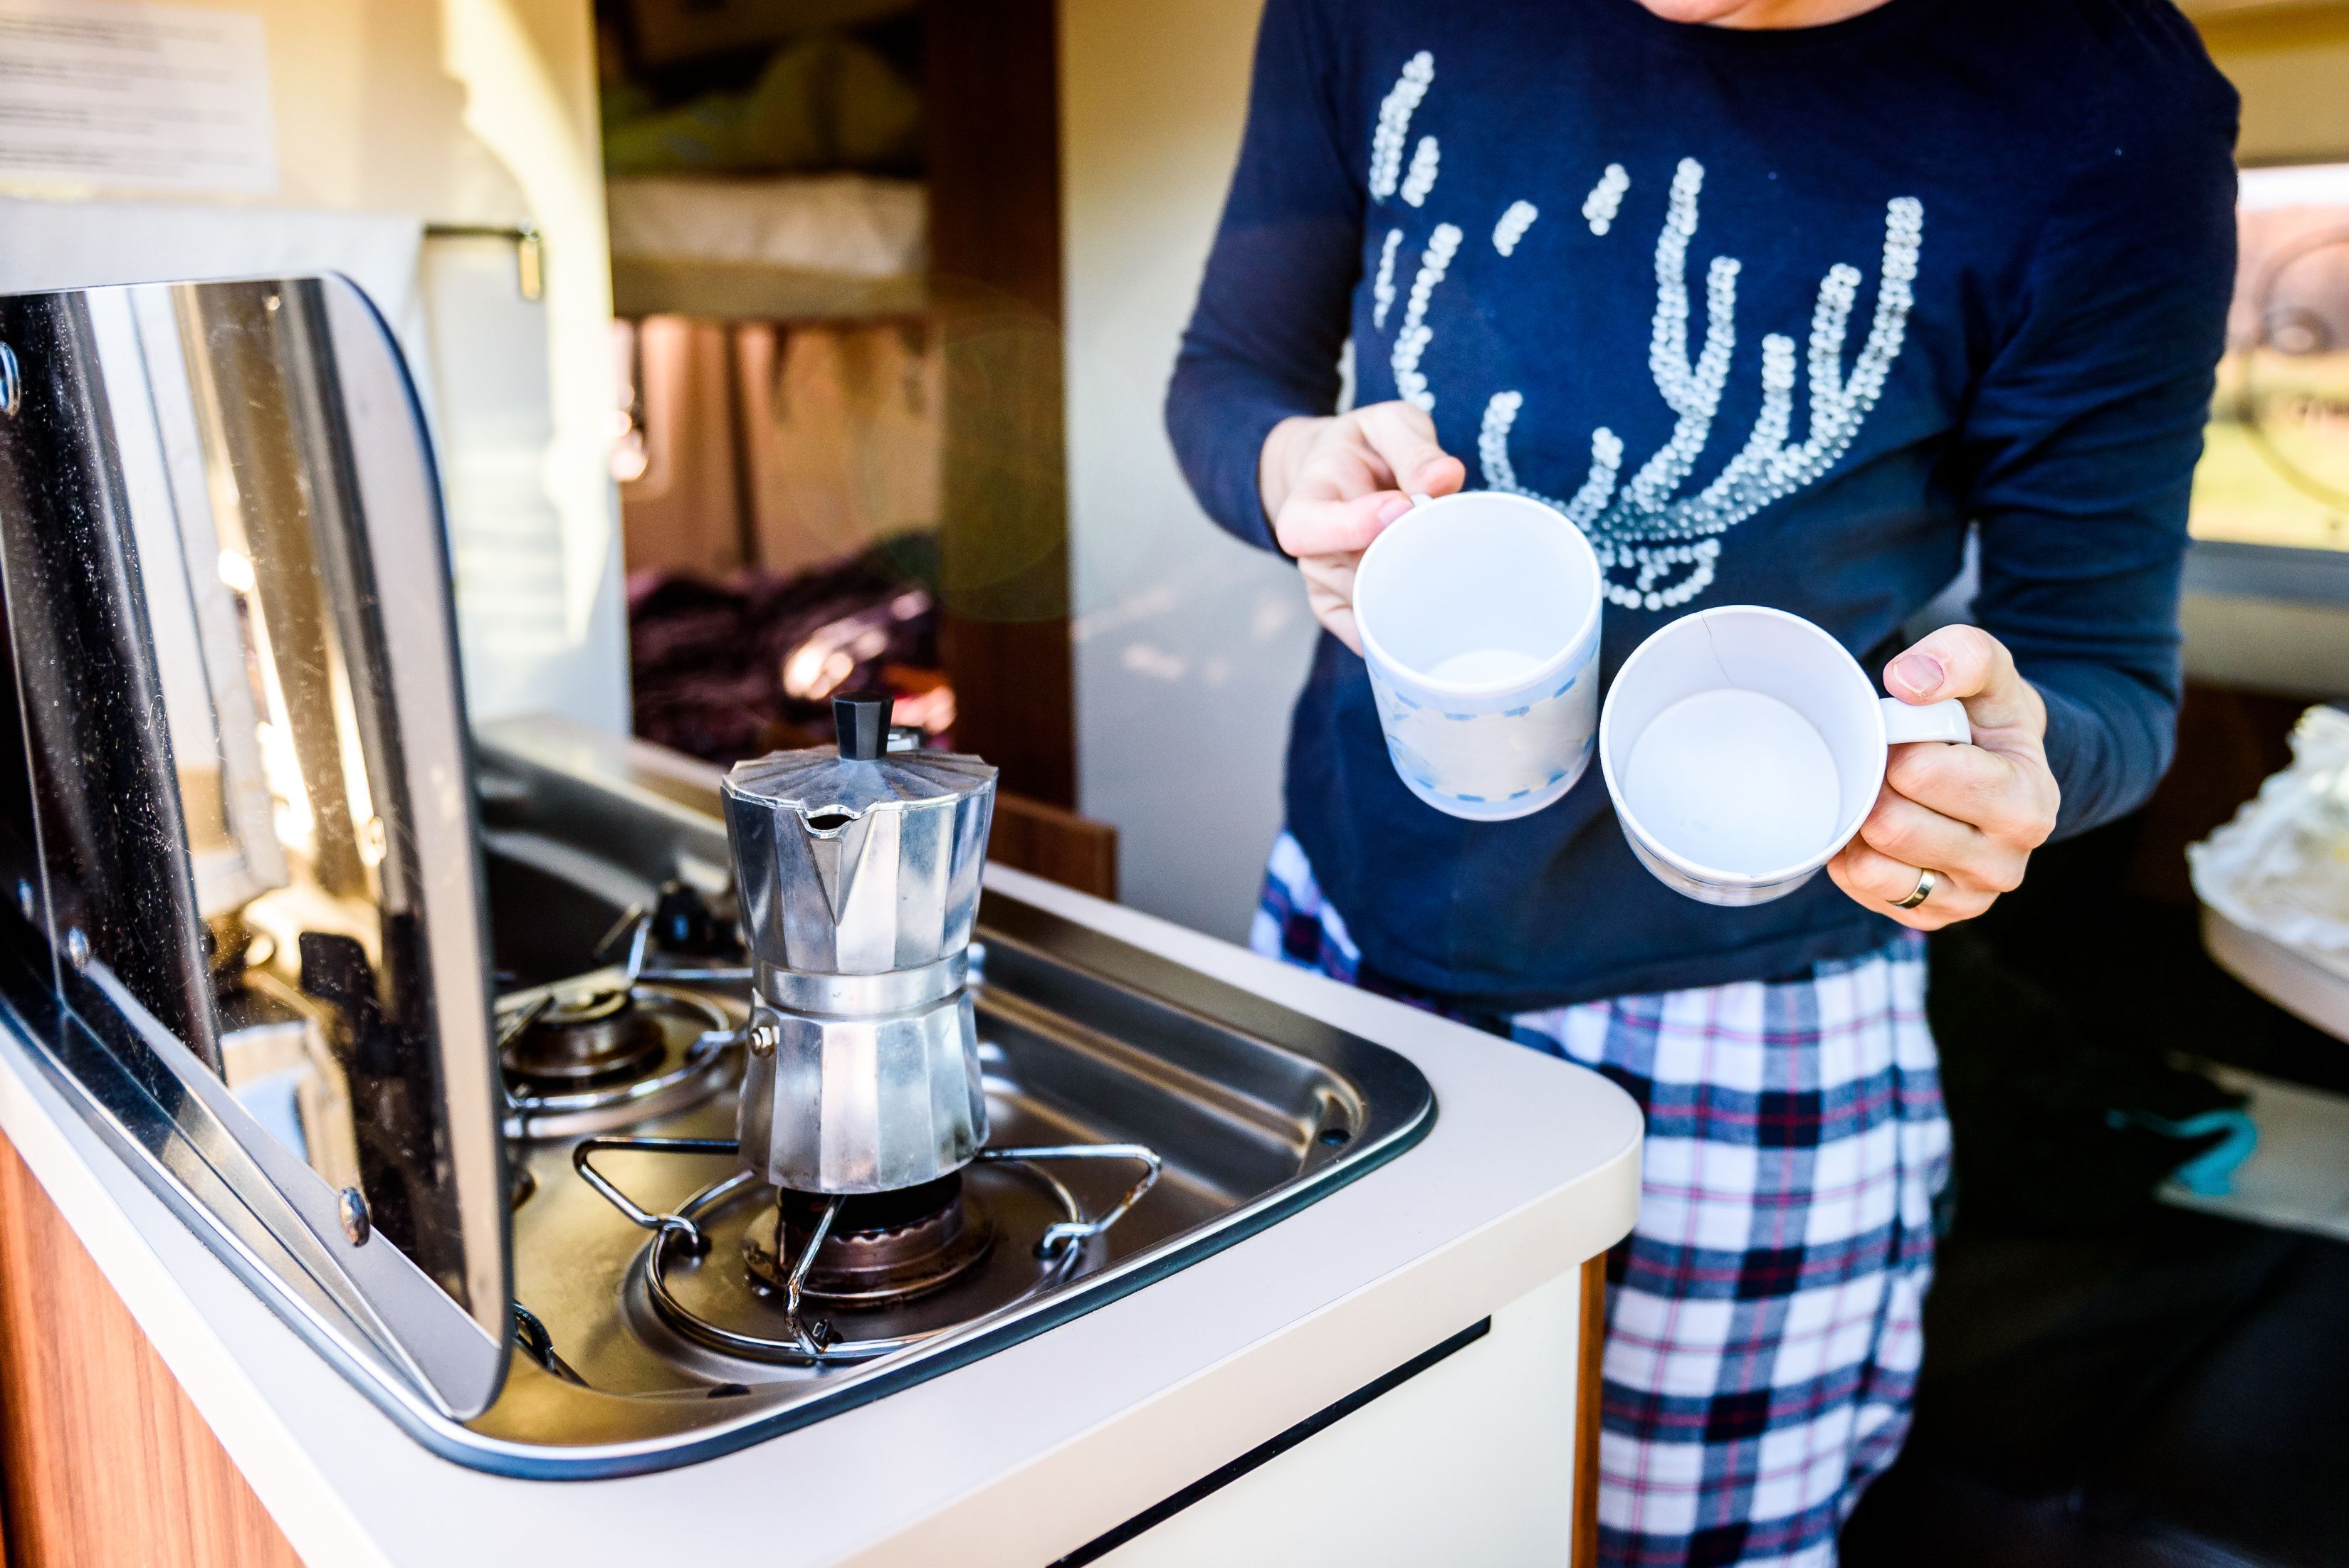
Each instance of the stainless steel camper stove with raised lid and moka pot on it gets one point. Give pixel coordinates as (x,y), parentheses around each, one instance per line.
(567,1130)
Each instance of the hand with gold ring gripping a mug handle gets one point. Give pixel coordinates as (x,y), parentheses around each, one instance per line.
(1970,813)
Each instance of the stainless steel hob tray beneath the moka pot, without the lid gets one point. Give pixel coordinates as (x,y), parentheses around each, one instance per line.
(654,1304)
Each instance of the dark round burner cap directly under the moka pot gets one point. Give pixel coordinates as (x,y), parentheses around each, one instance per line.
(884,1248)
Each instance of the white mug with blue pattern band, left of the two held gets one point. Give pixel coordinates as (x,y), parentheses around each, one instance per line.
(1481,628)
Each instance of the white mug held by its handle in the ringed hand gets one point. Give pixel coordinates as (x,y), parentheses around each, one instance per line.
(1744,748)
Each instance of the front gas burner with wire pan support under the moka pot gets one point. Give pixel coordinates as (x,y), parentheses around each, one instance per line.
(889,1269)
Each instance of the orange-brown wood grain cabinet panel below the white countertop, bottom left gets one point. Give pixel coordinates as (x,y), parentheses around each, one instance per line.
(102,1457)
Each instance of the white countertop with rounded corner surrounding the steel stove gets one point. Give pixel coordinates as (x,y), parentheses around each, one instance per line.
(1011,1461)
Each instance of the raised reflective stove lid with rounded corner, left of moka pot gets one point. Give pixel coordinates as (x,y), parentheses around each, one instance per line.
(243,804)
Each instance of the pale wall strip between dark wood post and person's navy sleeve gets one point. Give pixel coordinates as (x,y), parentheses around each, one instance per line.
(1190,647)
